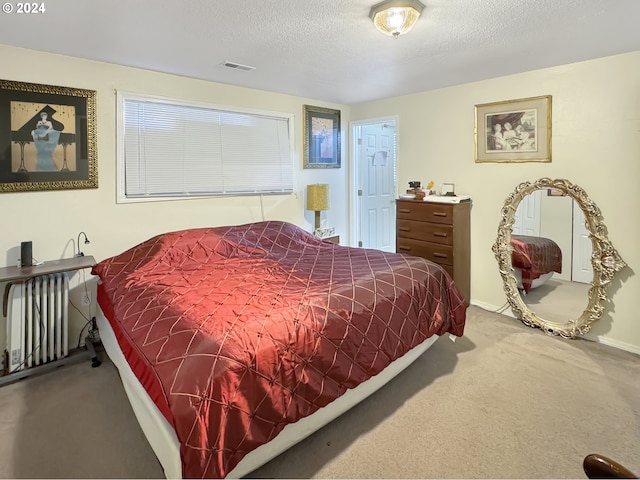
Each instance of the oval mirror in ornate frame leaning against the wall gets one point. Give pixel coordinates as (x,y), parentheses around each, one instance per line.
(537,257)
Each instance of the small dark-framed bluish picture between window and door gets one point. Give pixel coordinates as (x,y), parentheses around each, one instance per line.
(321,137)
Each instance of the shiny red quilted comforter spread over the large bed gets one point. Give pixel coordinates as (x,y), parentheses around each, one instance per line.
(237,331)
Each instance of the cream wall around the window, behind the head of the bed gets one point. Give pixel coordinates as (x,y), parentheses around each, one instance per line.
(53,219)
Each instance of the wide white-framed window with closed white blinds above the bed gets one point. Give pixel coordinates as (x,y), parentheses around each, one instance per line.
(169,150)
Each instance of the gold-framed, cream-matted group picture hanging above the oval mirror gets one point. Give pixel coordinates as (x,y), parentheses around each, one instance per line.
(514,131)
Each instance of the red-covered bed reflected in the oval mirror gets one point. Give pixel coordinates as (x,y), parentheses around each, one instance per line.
(534,260)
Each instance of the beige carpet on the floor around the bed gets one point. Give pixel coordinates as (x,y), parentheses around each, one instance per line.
(504,401)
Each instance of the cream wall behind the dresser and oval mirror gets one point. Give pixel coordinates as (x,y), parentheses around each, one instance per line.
(596,144)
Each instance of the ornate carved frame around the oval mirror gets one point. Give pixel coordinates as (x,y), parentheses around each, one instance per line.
(604,259)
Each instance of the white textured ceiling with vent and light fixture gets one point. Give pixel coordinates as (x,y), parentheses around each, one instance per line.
(328,49)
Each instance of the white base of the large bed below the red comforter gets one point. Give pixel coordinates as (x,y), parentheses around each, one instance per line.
(163,439)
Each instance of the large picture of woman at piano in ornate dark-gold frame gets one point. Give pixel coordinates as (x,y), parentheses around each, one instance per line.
(47,137)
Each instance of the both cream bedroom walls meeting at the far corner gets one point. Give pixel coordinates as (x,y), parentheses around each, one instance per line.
(596,144)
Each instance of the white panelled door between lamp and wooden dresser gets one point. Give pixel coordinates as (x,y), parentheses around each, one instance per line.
(374,215)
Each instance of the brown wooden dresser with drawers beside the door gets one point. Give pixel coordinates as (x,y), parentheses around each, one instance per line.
(440,232)
